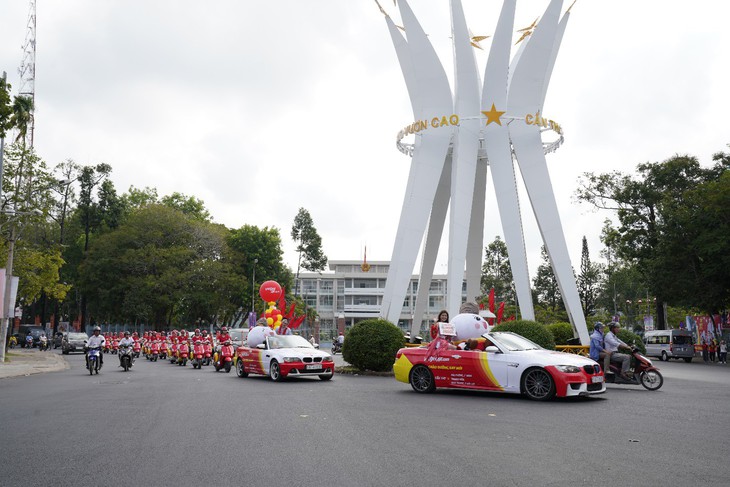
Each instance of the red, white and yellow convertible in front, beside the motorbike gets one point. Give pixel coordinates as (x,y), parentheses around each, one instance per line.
(510,363)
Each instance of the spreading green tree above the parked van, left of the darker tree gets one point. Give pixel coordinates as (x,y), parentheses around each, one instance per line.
(643,204)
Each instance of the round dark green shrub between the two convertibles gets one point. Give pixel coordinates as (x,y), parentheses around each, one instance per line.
(372,345)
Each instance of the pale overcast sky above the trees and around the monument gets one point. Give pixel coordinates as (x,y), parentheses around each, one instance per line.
(262,107)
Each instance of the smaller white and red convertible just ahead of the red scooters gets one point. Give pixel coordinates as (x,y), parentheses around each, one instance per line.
(282,356)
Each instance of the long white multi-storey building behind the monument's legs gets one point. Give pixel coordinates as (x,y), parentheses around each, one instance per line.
(352,291)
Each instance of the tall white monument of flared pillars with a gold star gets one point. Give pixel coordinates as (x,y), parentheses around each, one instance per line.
(457,138)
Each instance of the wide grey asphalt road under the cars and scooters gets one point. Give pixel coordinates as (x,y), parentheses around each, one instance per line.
(162,425)
